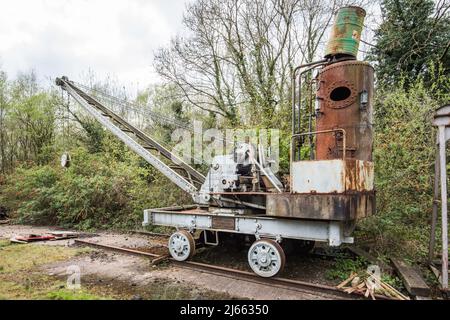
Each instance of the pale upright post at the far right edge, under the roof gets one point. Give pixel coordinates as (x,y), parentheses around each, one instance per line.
(443,176)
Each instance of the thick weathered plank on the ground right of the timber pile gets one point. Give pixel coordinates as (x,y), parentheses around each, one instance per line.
(411,278)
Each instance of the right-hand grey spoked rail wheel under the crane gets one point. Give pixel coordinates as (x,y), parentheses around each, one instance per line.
(266,258)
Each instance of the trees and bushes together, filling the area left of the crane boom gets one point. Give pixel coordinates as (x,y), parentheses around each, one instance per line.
(105,186)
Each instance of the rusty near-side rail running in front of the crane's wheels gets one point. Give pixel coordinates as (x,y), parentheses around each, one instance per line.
(284,283)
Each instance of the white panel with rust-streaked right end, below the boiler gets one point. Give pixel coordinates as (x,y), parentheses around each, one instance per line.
(332,176)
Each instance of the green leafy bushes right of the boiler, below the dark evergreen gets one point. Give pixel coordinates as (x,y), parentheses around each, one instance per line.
(404,169)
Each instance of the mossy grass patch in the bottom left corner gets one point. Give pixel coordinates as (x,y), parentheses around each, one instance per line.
(22,278)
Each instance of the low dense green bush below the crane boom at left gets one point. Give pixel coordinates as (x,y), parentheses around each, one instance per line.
(97,191)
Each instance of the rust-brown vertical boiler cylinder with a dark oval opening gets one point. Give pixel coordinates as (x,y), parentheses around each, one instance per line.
(345,96)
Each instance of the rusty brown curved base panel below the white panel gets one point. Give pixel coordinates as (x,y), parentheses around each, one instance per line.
(337,207)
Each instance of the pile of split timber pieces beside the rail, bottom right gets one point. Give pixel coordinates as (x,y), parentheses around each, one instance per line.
(370,286)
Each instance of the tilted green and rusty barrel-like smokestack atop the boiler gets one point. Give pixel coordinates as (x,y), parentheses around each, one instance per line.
(346,32)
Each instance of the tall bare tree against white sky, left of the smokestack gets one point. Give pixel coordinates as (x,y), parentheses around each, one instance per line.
(237,56)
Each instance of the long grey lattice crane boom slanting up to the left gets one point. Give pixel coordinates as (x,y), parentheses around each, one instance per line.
(123,130)
